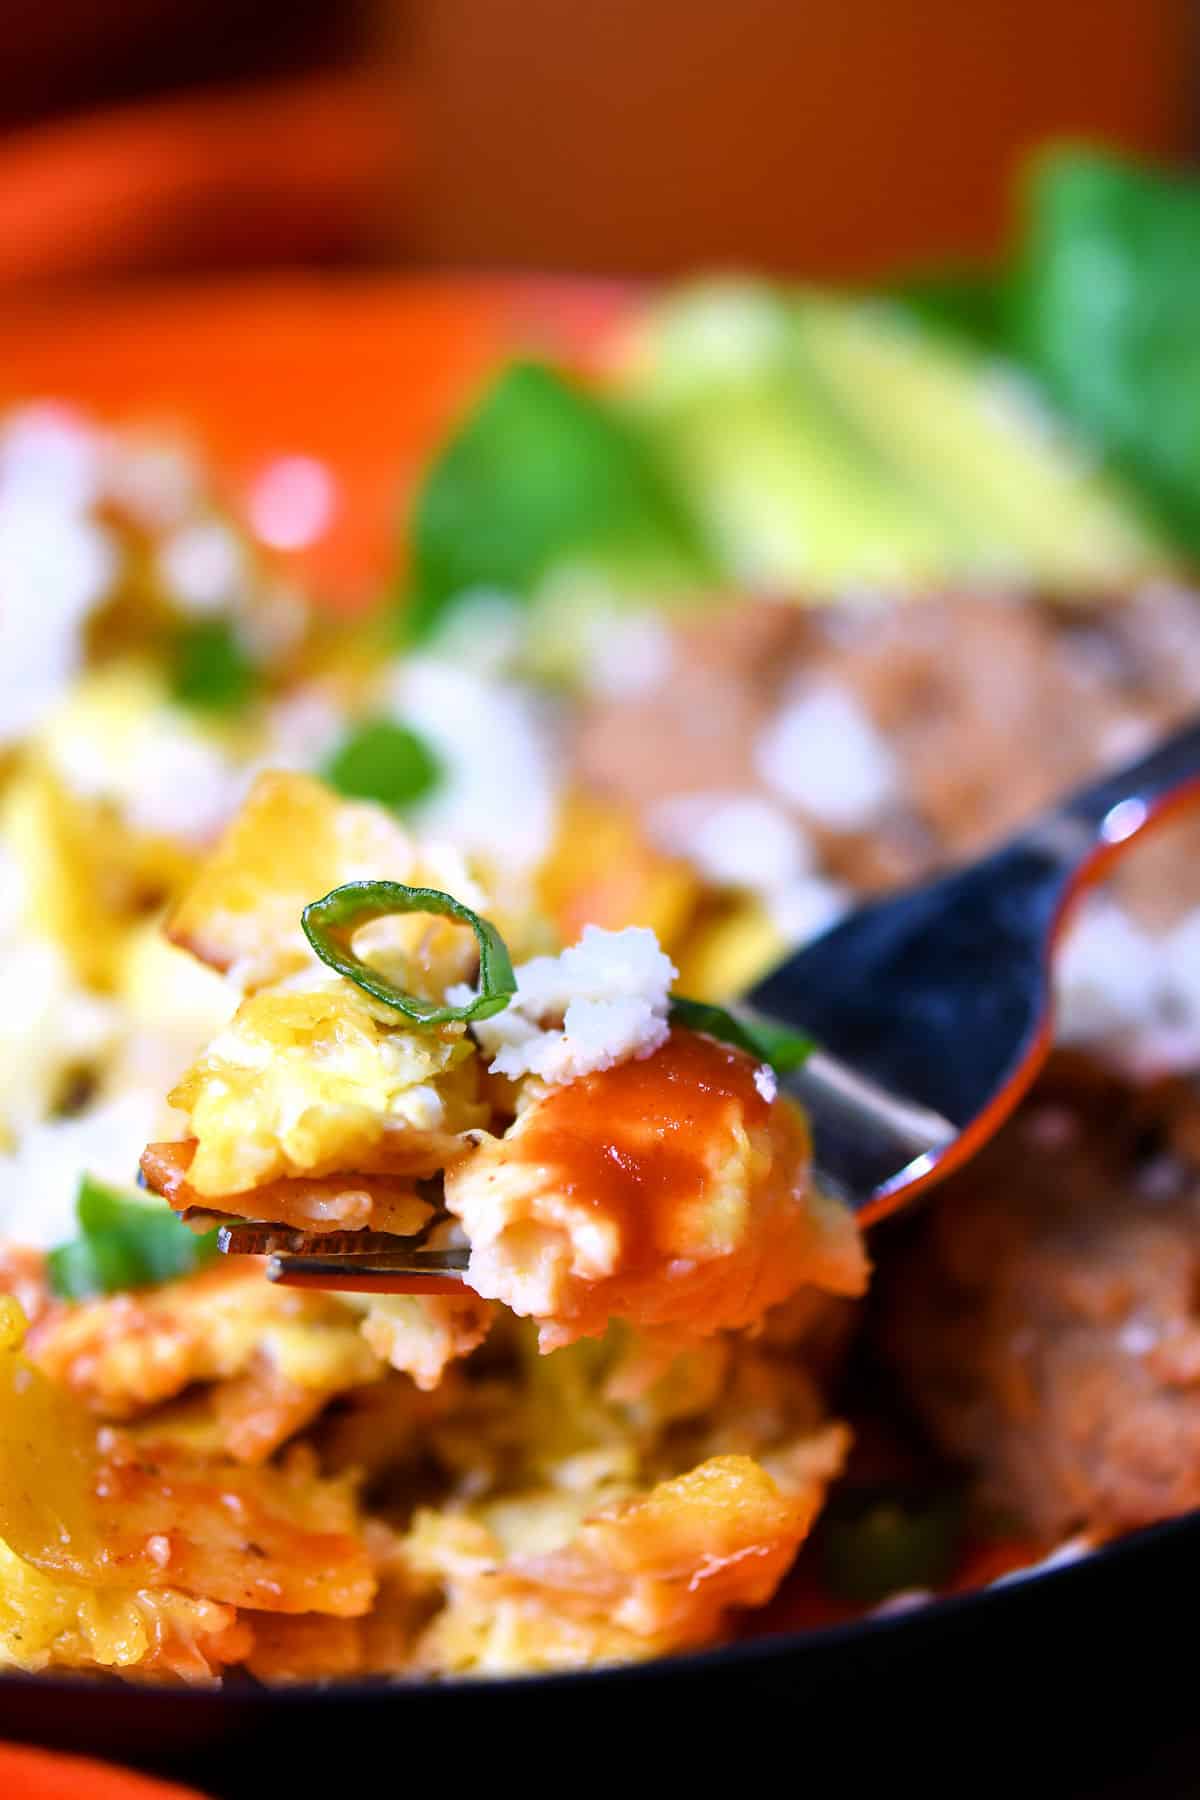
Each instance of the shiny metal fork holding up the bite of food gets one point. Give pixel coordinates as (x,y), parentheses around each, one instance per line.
(933,1012)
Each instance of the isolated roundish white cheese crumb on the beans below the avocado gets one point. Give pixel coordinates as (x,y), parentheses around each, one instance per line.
(825,755)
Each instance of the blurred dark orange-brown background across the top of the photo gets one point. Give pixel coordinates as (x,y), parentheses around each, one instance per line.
(832,138)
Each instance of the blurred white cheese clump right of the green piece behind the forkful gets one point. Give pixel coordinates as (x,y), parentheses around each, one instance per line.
(499,789)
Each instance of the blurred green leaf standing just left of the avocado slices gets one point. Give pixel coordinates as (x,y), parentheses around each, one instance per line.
(542,474)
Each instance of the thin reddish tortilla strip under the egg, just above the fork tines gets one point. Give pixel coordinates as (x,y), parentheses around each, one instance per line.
(309,1203)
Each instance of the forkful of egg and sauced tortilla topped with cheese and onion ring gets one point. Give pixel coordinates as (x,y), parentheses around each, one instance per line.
(602,1160)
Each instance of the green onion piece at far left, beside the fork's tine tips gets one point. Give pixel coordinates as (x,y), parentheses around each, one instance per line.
(125,1241)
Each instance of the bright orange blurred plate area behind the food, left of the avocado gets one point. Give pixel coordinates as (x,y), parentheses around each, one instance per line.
(364,373)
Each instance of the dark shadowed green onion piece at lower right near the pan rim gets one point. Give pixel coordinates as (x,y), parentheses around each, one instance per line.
(884,1542)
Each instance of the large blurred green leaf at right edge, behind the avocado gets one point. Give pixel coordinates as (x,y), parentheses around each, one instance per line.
(1107,312)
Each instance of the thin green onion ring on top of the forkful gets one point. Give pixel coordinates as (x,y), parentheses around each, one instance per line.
(330,926)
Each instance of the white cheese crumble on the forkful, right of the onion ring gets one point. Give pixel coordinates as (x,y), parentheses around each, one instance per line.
(602,1002)
